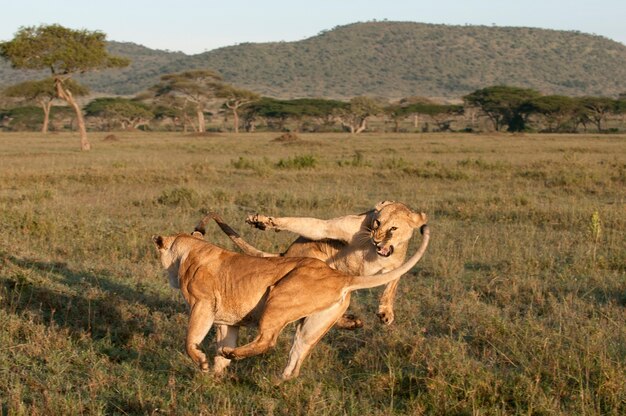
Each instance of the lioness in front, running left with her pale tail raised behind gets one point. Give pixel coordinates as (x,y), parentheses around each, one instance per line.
(231,290)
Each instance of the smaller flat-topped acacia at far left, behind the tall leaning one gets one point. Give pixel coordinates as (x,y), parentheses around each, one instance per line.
(43,92)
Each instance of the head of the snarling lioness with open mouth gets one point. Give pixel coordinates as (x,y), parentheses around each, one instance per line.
(392,225)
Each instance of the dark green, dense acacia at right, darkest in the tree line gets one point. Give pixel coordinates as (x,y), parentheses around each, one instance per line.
(502,105)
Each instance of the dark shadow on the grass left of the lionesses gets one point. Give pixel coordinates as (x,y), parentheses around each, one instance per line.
(80,312)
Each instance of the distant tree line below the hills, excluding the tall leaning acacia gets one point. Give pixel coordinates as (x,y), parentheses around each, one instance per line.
(185,106)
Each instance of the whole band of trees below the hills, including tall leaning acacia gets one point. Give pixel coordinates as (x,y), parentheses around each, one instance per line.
(198,100)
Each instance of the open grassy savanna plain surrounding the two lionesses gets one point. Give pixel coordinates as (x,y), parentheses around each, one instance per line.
(518,307)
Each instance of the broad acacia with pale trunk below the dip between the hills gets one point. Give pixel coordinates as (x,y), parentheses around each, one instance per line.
(197,87)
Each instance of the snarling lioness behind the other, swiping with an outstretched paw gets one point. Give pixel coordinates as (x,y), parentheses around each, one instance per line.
(364,244)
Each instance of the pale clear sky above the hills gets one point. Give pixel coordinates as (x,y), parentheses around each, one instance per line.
(195,26)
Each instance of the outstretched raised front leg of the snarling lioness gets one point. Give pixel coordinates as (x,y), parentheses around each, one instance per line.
(342,228)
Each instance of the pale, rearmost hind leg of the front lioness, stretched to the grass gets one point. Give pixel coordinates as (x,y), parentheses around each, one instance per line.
(309,333)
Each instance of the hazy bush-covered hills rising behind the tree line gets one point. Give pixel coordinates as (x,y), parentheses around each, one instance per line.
(389,59)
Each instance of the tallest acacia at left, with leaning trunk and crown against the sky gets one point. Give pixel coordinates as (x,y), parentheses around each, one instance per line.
(65,52)
